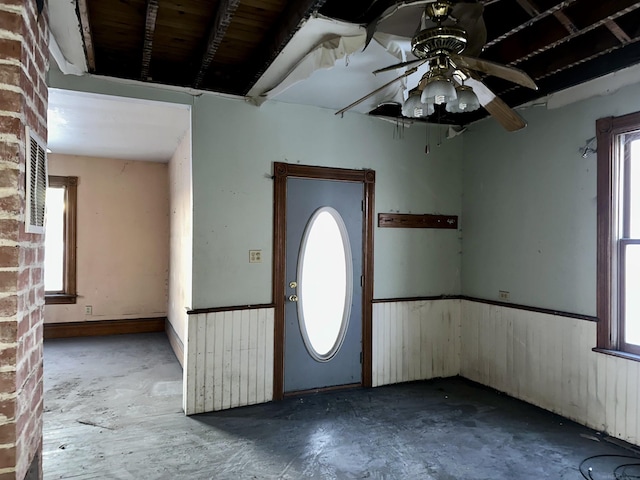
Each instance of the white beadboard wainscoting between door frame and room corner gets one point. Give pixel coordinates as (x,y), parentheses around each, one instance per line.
(415,340)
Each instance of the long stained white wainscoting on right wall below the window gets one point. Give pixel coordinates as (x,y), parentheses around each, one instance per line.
(547,360)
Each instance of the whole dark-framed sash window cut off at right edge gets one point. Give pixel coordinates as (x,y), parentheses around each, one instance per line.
(619,234)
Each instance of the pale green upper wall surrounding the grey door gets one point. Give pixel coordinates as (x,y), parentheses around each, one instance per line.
(235,145)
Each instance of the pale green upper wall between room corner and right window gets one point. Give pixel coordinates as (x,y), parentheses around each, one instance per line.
(529,206)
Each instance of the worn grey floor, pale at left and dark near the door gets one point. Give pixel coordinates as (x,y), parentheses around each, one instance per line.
(113,411)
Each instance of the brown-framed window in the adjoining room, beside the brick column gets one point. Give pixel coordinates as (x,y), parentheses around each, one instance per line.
(60,241)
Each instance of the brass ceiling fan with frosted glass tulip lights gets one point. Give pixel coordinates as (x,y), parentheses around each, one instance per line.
(450,35)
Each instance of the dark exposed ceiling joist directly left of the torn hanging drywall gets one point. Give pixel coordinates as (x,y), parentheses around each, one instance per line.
(294,13)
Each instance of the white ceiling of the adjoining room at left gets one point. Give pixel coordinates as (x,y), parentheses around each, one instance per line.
(113,127)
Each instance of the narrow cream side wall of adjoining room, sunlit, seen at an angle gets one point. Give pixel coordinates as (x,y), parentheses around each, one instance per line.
(181,237)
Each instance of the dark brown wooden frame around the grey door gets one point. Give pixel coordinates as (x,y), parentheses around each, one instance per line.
(283,171)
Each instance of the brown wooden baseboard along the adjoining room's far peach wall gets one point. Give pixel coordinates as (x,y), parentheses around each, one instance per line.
(104,327)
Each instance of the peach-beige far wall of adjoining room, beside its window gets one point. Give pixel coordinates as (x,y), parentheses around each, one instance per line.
(123,238)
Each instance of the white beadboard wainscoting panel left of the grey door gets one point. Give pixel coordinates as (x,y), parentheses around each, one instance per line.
(228,358)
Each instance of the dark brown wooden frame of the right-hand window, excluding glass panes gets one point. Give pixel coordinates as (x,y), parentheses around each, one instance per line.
(612,227)
